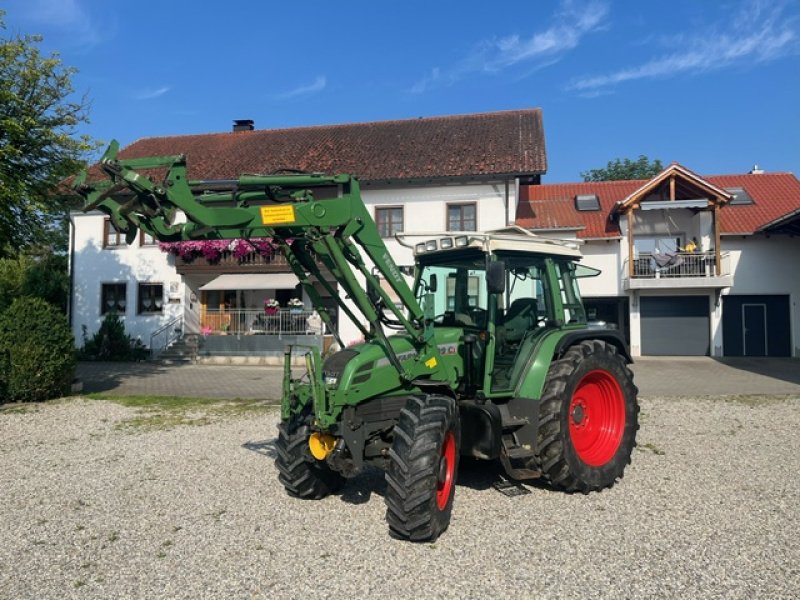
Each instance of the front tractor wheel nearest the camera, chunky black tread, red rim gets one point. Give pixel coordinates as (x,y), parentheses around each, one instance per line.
(422,469)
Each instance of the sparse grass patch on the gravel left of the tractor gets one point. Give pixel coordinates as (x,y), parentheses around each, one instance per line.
(168,412)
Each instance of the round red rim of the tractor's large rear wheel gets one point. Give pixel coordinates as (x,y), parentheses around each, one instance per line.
(597,418)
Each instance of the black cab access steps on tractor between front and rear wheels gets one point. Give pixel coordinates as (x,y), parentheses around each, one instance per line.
(518,450)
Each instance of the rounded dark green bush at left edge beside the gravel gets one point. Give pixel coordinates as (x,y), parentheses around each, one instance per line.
(39,350)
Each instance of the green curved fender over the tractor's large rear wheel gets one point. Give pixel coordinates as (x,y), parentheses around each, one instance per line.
(553,345)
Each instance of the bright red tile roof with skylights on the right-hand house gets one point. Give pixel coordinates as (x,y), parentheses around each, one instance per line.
(553,206)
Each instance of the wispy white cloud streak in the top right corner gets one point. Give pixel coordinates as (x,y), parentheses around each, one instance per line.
(758,33)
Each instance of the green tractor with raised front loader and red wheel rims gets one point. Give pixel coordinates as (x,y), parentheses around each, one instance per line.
(487,355)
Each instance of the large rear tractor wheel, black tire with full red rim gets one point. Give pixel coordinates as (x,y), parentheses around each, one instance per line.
(588,418)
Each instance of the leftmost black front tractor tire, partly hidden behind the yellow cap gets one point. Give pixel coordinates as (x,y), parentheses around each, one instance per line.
(300,473)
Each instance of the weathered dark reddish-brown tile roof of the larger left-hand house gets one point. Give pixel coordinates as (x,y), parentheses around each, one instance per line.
(508,142)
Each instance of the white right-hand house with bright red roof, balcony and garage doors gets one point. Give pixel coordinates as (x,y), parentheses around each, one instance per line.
(691,265)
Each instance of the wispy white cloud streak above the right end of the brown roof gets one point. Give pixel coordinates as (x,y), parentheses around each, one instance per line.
(540,49)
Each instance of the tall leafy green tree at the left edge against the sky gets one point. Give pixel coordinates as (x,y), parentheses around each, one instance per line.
(39,146)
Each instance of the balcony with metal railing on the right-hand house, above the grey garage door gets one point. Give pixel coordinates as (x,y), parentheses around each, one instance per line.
(682,270)
